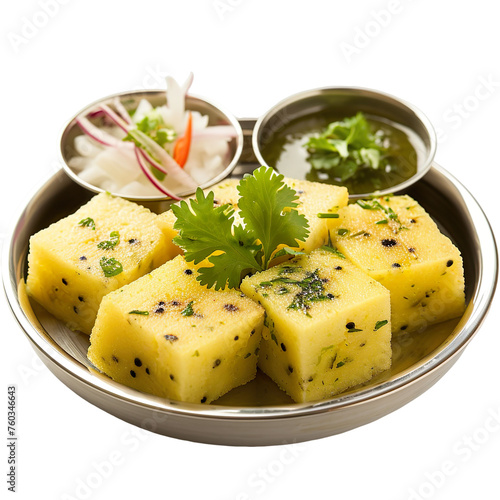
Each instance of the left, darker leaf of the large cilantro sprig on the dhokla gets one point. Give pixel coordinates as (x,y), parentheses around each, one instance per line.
(205,229)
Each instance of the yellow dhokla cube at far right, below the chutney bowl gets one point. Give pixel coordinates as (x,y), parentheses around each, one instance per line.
(396,242)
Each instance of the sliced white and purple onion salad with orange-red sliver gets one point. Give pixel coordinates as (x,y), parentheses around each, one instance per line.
(151,150)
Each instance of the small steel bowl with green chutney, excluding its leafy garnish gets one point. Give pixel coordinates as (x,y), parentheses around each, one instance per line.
(280,135)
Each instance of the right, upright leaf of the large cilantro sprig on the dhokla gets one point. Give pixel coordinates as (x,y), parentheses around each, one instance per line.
(268,208)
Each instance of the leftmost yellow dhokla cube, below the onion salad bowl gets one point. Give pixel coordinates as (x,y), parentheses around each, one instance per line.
(104,245)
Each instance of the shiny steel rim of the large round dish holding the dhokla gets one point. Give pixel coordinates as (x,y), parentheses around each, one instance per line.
(132,397)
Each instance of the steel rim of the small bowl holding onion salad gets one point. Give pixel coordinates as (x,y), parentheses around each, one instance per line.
(130,100)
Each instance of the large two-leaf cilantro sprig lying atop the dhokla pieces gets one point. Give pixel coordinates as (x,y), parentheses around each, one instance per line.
(267,207)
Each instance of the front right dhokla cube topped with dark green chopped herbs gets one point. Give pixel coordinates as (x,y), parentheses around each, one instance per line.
(327,325)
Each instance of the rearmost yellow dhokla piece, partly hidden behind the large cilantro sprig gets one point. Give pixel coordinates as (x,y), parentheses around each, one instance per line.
(313,198)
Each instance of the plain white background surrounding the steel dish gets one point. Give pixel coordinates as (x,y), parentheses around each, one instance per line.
(246,55)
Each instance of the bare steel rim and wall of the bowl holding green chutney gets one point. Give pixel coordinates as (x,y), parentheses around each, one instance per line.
(348,101)
